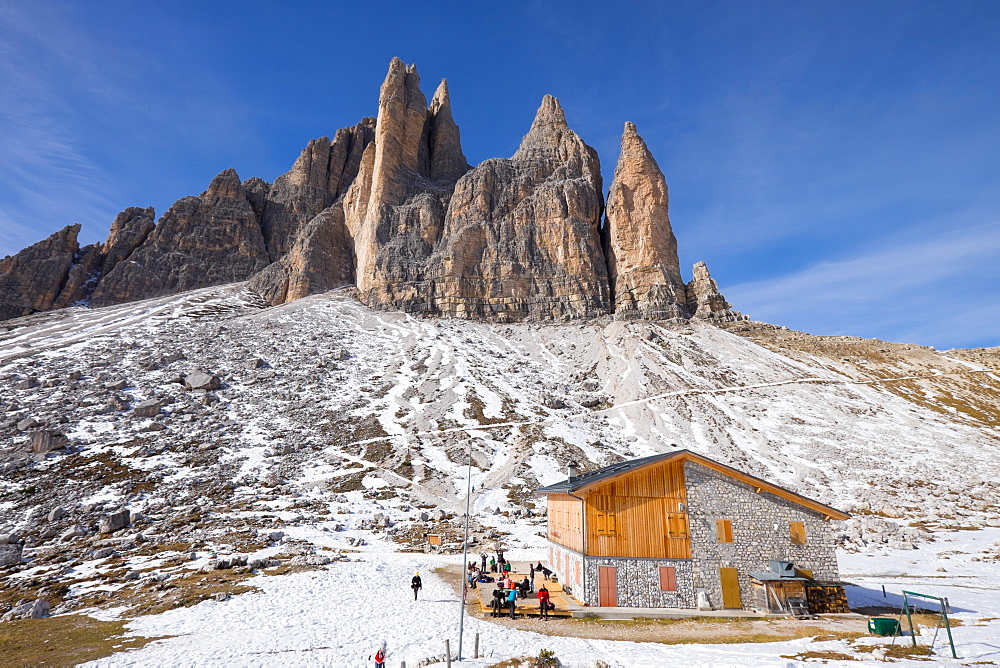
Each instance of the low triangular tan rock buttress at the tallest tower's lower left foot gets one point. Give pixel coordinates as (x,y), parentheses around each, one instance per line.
(321,259)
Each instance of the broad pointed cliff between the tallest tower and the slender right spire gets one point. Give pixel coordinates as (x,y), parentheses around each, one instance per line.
(521,239)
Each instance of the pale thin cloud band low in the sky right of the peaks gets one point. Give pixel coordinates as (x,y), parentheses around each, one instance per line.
(939,291)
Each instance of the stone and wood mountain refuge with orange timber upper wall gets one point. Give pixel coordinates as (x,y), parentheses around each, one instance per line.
(680,530)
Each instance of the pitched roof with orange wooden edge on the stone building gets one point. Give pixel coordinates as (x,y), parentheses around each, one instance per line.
(587,480)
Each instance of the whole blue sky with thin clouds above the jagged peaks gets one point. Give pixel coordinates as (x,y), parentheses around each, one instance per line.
(835,163)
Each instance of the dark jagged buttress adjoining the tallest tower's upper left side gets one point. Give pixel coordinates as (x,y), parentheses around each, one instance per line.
(322,173)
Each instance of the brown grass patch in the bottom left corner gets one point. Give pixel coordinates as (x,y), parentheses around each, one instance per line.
(67,640)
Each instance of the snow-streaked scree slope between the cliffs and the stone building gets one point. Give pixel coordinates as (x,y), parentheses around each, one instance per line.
(331,395)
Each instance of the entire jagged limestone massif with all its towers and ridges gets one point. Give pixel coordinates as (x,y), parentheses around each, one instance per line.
(392,206)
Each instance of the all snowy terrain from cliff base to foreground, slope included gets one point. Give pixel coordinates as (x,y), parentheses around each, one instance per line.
(331,415)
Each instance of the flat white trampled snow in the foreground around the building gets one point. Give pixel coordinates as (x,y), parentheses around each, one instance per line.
(337,616)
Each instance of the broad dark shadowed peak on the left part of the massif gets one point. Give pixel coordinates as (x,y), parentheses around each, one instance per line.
(200,241)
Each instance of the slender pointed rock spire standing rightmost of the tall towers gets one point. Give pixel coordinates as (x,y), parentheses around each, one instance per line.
(643,267)
